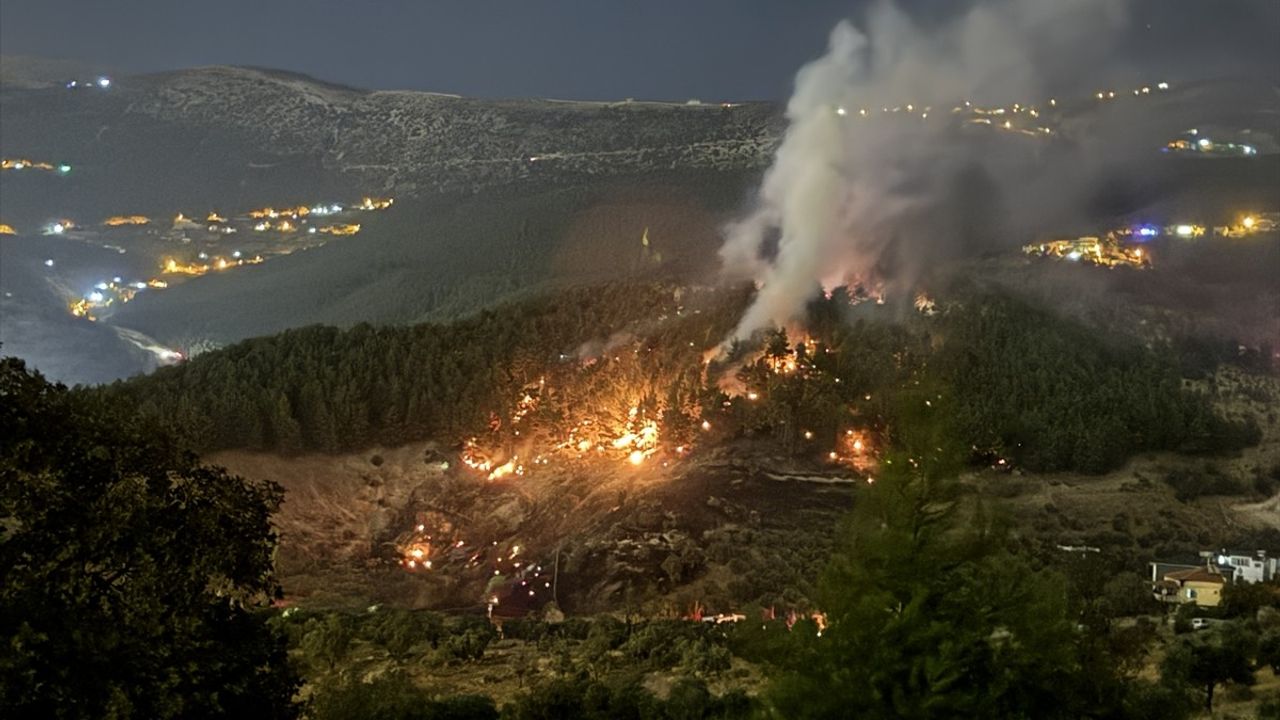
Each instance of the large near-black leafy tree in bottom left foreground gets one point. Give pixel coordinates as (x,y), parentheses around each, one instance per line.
(130,573)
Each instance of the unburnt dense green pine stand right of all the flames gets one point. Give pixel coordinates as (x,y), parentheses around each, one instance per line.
(1055,395)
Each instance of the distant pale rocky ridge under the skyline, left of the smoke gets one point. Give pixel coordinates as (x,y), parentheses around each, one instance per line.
(245,138)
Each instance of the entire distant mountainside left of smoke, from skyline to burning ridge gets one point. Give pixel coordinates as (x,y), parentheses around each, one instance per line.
(493,197)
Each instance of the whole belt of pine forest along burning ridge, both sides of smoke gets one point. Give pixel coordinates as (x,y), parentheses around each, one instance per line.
(1014,381)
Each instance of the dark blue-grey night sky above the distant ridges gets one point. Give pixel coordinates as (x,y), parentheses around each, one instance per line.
(573,49)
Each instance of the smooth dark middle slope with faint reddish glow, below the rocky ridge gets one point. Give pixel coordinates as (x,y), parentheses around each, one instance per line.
(444,259)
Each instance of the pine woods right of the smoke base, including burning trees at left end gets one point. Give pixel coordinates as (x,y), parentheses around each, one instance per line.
(1005,379)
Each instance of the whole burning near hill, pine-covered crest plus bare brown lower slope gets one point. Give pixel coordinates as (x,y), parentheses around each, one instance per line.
(588,426)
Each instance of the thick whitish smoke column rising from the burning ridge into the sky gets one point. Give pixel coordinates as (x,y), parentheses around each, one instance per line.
(876,198)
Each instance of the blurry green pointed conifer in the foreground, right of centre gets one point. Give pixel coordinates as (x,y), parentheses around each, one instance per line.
(930,614)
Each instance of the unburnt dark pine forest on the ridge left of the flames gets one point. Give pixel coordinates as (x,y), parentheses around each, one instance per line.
(328,390)
